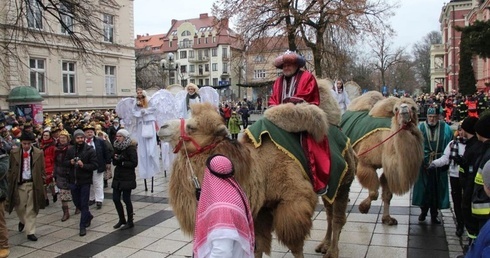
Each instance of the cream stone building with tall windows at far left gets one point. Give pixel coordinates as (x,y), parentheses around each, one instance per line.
(43,54)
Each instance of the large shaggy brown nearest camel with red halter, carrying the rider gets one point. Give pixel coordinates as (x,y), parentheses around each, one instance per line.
(280,193)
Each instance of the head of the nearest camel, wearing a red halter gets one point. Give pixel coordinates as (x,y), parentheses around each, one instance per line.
(205,127)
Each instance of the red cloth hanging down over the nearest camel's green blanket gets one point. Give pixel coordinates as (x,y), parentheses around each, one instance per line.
(318,156)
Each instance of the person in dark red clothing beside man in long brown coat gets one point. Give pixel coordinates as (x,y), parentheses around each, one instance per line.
(47,144)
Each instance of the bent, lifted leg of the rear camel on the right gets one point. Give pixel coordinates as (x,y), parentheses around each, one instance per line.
(368,178)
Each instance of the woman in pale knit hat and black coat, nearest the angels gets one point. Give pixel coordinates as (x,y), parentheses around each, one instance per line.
(125,161)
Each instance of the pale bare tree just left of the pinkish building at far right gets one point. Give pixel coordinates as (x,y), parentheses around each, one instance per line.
(421,53)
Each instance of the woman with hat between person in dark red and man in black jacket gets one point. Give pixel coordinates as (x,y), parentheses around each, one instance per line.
(61,173)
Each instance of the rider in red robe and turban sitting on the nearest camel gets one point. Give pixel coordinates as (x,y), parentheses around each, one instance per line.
(296,86)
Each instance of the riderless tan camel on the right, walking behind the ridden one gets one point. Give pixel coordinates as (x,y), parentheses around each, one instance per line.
(400,156)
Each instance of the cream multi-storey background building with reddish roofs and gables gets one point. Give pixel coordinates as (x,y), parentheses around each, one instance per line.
(204,51)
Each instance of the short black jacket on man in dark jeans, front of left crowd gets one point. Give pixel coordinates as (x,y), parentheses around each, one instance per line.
(78,175)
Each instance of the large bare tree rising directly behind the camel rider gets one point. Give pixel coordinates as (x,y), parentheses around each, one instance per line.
(308,19)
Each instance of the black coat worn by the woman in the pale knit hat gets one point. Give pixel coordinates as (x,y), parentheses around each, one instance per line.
(125,171)
